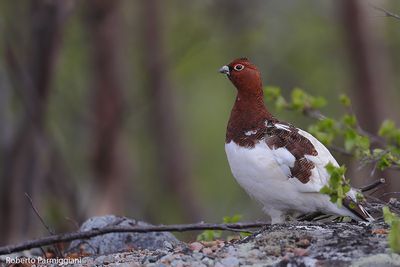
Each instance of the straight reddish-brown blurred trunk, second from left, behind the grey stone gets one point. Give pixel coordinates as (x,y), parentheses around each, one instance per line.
(108,155)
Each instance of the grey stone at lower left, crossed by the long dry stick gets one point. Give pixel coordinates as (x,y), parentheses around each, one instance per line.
(118,242)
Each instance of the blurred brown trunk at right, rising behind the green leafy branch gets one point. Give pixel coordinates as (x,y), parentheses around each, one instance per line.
(372,77)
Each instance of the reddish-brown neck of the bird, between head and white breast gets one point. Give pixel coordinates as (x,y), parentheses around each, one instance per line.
(249,114)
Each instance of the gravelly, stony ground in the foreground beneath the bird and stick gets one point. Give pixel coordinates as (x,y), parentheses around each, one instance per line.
(295,244)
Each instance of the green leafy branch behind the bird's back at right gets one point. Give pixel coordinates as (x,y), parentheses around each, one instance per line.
(344,135)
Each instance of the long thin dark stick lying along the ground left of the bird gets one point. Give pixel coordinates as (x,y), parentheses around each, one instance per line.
(53,239)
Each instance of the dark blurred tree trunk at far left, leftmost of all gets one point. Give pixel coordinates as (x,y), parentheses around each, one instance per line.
(26,159)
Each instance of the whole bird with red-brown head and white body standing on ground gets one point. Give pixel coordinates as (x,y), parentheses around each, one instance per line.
(276,163)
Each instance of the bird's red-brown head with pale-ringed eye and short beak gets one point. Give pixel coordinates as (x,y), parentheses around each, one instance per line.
(244,75)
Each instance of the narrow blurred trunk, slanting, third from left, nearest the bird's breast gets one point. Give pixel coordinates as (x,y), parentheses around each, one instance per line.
(174,169)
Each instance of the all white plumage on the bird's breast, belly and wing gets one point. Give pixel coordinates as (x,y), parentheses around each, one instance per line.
(263,172)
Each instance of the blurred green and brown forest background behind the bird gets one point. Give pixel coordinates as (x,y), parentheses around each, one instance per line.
(117,106)
